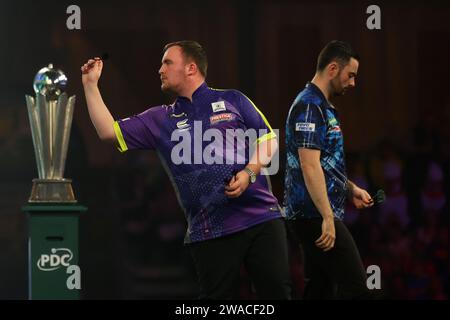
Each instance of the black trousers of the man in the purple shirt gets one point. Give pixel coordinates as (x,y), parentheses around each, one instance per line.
(262,249)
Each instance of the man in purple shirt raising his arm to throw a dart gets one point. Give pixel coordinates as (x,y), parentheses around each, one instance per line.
(233,218)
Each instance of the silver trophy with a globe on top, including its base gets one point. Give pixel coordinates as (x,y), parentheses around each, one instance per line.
(50,114)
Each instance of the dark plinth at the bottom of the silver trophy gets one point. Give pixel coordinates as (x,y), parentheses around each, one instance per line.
(52,190)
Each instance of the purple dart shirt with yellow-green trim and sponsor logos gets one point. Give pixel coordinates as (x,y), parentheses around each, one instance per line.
(201,127)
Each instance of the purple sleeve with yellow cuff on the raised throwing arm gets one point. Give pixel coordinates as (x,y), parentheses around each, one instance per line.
(135,132)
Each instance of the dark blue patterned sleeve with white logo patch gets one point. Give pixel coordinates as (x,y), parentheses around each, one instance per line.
(309,127)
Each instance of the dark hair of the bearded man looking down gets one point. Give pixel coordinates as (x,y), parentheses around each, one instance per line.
(338,51)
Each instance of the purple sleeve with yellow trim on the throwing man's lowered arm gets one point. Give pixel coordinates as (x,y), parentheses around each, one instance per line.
(255,119)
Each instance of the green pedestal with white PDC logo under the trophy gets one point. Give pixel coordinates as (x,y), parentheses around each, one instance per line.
(53,255)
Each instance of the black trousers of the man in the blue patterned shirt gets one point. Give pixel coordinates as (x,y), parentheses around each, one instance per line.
(335,274)
